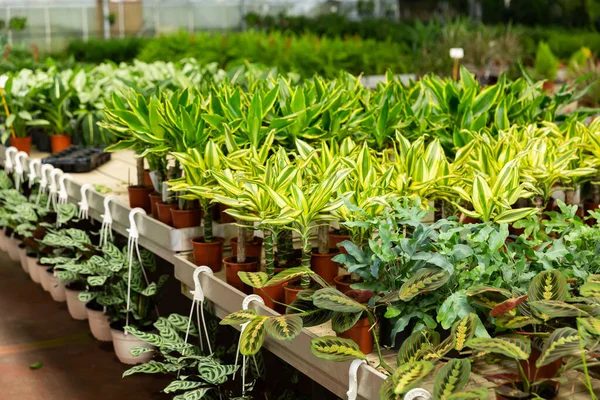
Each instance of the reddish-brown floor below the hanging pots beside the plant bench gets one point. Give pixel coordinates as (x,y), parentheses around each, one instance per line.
(33,328)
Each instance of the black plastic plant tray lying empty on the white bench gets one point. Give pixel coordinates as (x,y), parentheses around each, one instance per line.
(78,159)
